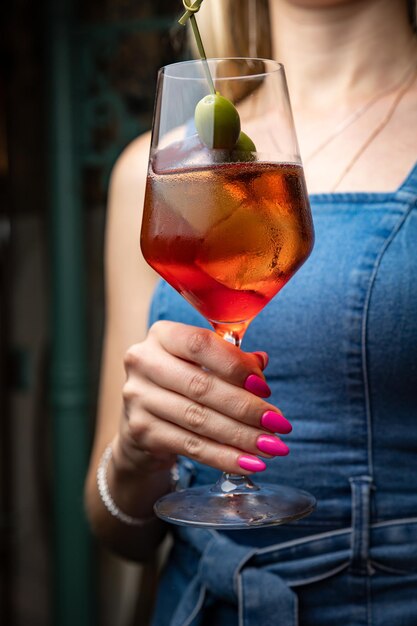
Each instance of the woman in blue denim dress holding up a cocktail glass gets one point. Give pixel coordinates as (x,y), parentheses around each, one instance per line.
(341,362)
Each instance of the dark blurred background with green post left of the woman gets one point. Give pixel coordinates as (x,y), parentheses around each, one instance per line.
(77,83)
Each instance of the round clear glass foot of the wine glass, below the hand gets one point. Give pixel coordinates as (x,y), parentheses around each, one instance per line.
(235,502)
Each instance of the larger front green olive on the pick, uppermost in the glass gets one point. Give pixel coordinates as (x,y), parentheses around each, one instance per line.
(217,122)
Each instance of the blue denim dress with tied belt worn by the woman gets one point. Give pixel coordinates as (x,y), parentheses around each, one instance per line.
(342,341)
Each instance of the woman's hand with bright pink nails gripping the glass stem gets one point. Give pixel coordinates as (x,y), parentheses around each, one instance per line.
(189,392)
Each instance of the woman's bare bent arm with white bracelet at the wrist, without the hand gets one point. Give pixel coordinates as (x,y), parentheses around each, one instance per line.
(129,285)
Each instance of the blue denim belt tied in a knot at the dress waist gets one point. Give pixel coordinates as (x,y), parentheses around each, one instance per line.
(262,582)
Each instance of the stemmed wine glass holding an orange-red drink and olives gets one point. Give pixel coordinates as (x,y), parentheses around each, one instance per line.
(227,223)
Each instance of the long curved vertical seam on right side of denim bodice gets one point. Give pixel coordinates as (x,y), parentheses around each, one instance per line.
(368,407)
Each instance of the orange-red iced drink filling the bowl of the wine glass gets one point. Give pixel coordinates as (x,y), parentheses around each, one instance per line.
(227,237)
